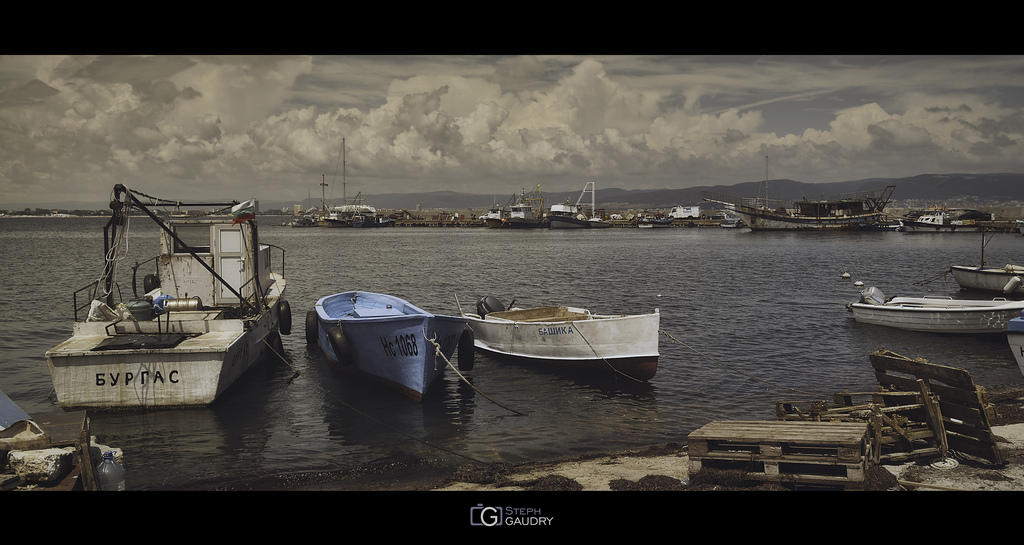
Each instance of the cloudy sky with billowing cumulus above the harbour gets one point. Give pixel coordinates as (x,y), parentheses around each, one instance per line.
(272,128)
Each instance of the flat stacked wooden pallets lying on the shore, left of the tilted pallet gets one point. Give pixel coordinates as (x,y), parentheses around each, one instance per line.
(800,454)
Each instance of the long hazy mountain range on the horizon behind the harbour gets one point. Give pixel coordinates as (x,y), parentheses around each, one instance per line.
(924,190)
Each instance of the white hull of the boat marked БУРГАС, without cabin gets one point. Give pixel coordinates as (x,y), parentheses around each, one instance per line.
(192,373)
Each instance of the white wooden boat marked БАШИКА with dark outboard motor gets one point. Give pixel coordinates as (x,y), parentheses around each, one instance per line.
(569,338)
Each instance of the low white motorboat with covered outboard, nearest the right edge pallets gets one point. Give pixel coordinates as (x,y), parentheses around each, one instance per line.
(936,315)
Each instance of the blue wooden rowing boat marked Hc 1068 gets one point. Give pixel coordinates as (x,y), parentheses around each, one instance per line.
(389,340)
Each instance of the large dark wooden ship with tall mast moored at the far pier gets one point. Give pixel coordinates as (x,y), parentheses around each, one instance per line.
(851,212)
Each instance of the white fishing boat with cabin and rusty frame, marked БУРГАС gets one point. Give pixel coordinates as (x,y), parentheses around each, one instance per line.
(212,311)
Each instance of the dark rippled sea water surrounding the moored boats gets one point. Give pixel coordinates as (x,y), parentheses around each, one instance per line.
(749,319)
